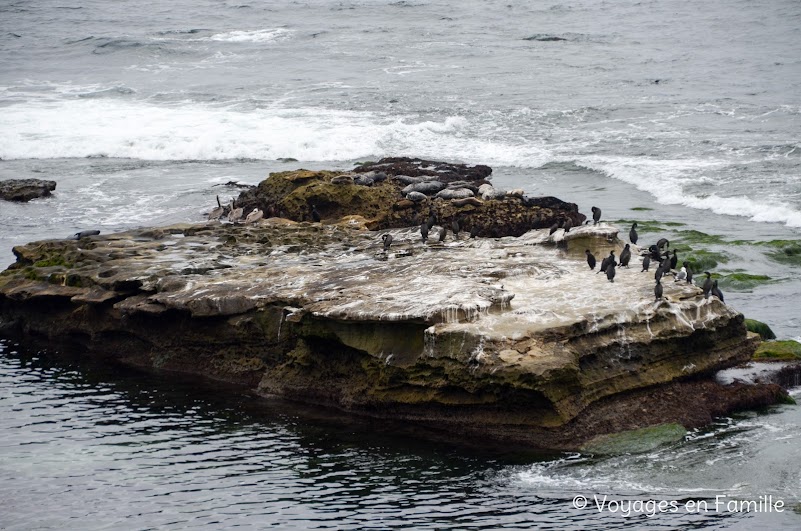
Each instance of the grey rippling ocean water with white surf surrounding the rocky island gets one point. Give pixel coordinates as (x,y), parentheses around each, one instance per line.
(674,112)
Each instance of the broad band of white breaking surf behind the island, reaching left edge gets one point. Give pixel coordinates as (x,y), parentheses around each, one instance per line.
(59,128)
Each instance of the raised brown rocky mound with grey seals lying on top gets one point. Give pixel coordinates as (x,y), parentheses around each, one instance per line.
(403,192)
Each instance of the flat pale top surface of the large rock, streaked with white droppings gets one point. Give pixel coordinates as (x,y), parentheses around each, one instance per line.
(499,288)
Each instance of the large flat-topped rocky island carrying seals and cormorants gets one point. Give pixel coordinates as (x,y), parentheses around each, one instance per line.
(499,331)
